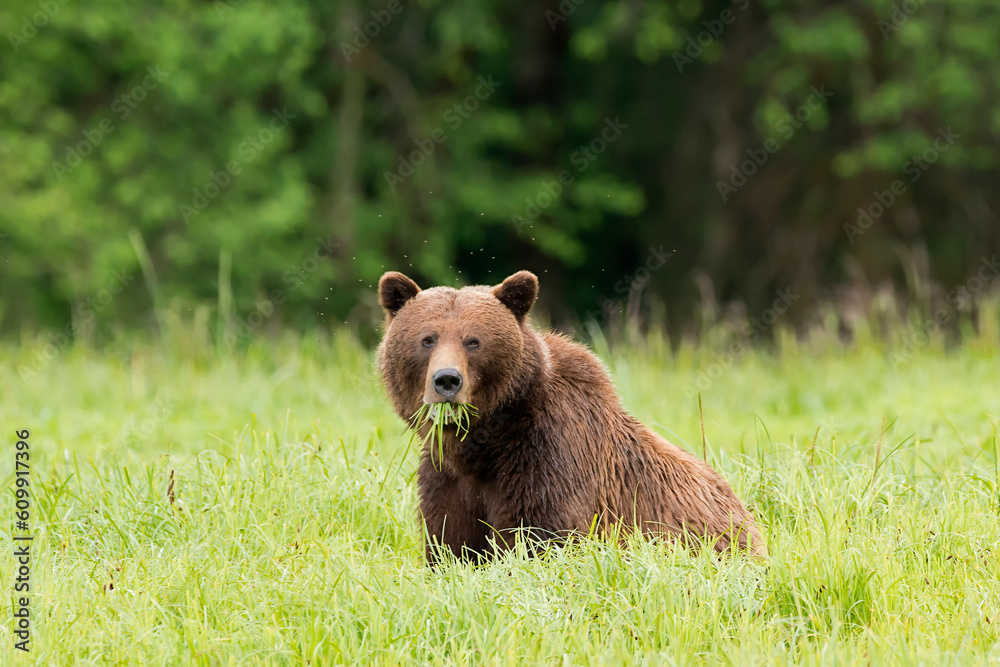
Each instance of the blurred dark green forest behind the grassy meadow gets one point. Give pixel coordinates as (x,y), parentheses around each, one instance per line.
(257,166)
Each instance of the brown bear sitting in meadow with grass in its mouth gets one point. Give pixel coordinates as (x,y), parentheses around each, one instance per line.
(552,452)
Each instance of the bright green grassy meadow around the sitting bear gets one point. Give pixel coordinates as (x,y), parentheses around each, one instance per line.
(259,507)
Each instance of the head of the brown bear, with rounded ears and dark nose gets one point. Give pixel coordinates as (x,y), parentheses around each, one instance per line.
(466,345)
